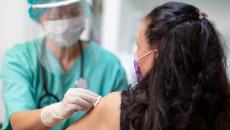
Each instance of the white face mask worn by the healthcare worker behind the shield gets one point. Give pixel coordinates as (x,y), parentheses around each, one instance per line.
(65,32)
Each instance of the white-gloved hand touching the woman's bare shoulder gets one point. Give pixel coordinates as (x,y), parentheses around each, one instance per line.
(75,99)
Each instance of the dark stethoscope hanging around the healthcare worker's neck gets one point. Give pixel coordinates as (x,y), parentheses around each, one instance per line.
(48,98)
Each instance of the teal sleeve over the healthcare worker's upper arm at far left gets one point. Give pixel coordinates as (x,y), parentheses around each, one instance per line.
(16,76)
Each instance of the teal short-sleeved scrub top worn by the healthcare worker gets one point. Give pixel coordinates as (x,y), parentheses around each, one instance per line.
(23,84)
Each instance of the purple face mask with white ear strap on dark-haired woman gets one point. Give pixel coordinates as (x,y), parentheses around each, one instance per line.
(137,66)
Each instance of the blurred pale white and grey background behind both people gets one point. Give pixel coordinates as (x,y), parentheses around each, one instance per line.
(118,22)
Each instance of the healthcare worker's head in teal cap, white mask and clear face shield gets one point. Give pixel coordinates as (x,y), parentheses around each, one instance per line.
(66,24)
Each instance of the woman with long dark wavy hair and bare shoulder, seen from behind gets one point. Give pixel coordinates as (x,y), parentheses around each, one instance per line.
(183,83)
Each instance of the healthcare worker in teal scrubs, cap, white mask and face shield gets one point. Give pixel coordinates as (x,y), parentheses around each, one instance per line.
(49,81)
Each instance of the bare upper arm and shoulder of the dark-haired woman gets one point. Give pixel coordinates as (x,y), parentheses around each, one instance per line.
(106,116)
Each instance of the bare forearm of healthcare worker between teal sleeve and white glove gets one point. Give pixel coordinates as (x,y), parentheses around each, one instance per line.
(27,120)
